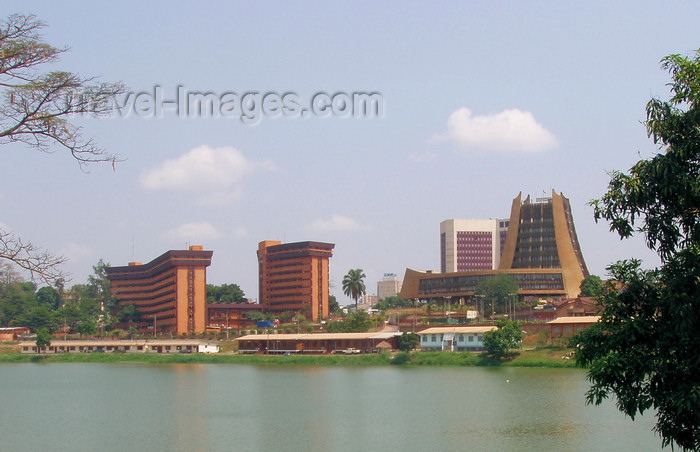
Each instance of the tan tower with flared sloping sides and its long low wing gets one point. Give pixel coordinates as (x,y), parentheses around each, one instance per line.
(541,253)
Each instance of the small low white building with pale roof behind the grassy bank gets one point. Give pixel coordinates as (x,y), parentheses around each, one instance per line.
(454,338)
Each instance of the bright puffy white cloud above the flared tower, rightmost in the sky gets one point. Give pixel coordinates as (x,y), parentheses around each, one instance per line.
(509,130)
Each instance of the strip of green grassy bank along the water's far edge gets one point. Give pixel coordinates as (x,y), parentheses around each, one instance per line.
(543,357)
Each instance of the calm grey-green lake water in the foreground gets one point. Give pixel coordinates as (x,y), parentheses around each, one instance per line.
(130,407)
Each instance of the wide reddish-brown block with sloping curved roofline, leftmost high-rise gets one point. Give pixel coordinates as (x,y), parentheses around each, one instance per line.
(169,292)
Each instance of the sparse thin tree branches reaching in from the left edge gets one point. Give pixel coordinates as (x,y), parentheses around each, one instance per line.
(34,110)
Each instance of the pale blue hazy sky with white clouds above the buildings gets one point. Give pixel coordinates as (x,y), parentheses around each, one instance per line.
(474,102)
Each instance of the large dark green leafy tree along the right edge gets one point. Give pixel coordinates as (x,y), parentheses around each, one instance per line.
(644,351)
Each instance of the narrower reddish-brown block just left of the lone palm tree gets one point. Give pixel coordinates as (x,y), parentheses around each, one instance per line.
(294,277)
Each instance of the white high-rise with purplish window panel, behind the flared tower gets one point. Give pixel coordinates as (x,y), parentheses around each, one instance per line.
(468,245)
